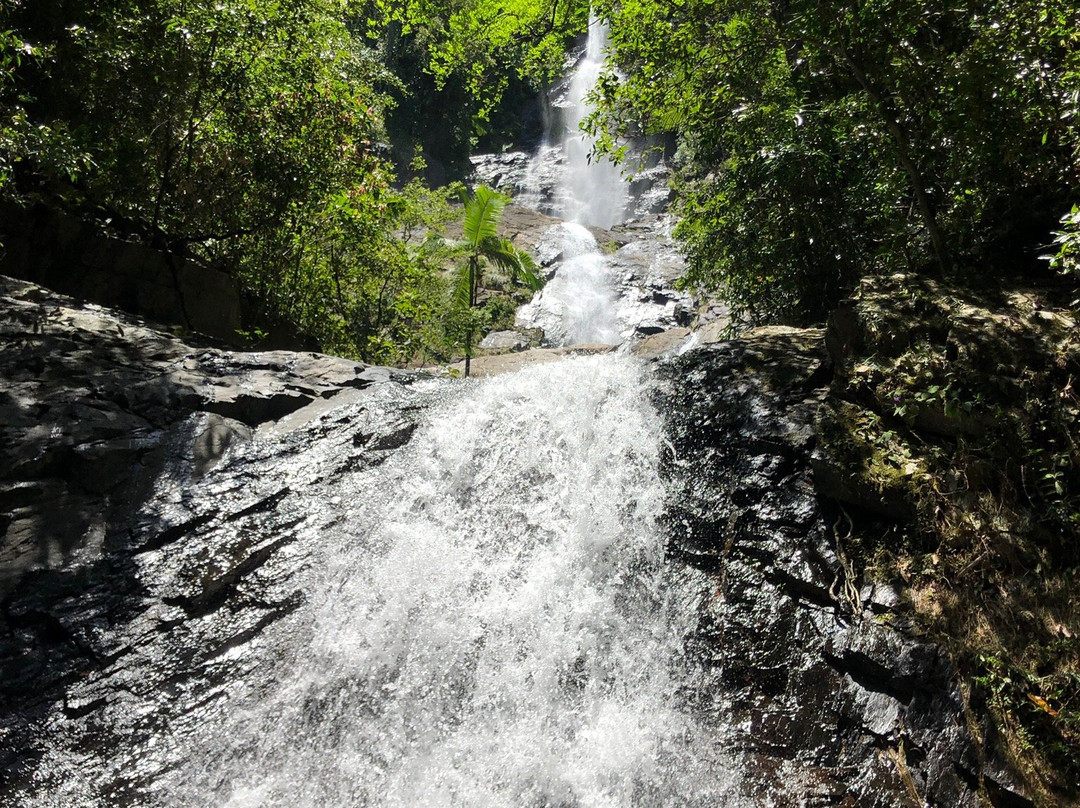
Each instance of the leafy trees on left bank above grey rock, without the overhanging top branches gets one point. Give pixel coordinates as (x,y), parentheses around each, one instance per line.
(247,133)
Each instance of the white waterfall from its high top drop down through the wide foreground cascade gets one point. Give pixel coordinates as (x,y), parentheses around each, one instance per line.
(495,624)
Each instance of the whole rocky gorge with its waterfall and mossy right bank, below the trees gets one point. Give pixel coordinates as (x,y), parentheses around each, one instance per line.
(640,563)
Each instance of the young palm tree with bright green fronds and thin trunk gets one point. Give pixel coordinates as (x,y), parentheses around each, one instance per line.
(483,246)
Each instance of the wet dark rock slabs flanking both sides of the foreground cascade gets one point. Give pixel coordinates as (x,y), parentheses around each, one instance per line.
(160,532)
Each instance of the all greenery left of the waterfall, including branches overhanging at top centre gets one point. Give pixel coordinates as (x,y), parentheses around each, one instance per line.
(256,136)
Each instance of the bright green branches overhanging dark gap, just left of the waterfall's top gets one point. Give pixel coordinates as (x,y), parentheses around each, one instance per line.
(471,65)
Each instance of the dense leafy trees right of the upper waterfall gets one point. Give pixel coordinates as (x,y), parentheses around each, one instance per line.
(823,141)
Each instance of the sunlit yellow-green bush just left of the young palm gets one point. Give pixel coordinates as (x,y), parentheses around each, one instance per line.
(364,276)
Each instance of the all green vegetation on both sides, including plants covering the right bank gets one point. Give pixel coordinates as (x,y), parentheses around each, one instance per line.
(312,149)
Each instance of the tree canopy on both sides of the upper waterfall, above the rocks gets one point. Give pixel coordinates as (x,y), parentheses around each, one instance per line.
(817,142)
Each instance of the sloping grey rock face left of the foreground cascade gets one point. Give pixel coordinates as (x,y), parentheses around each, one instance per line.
(133,583)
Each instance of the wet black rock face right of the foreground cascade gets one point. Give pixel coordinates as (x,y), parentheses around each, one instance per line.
(834,703)
